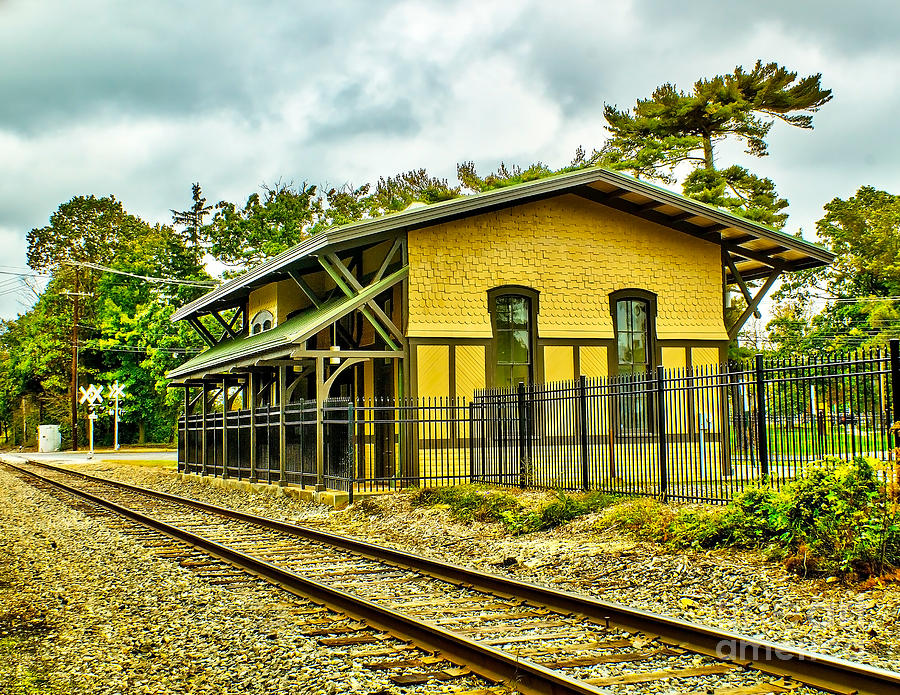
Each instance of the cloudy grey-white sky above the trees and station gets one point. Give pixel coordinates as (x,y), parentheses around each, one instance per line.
(142,99)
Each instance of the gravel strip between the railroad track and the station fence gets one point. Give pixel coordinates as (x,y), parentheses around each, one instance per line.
(737,591)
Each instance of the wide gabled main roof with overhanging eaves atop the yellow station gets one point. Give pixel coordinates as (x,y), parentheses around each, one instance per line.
(757,247)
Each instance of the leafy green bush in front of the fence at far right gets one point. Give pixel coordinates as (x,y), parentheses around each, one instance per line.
(836,518)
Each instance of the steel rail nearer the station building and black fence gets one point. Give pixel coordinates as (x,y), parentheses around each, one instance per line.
(826,672)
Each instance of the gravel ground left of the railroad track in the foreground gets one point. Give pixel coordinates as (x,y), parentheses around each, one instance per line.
(85,609)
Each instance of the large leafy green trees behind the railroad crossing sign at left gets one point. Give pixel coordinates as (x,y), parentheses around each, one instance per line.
(124,331)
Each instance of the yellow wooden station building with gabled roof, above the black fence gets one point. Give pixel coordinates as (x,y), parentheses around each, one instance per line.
(589,273)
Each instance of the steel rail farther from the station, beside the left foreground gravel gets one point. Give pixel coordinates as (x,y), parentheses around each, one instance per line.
(483,660)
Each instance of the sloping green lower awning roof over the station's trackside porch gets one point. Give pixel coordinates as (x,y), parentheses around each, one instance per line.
(285,336)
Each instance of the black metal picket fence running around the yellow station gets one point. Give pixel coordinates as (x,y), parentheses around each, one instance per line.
(699,434)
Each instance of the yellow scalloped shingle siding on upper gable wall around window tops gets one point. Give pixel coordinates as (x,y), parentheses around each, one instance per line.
(574,252)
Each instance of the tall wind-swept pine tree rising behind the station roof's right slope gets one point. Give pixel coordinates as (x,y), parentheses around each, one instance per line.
(674,128)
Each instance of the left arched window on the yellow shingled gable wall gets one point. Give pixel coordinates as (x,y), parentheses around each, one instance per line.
(513,311)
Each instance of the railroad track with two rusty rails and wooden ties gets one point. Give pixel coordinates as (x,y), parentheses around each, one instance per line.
(507,631)
